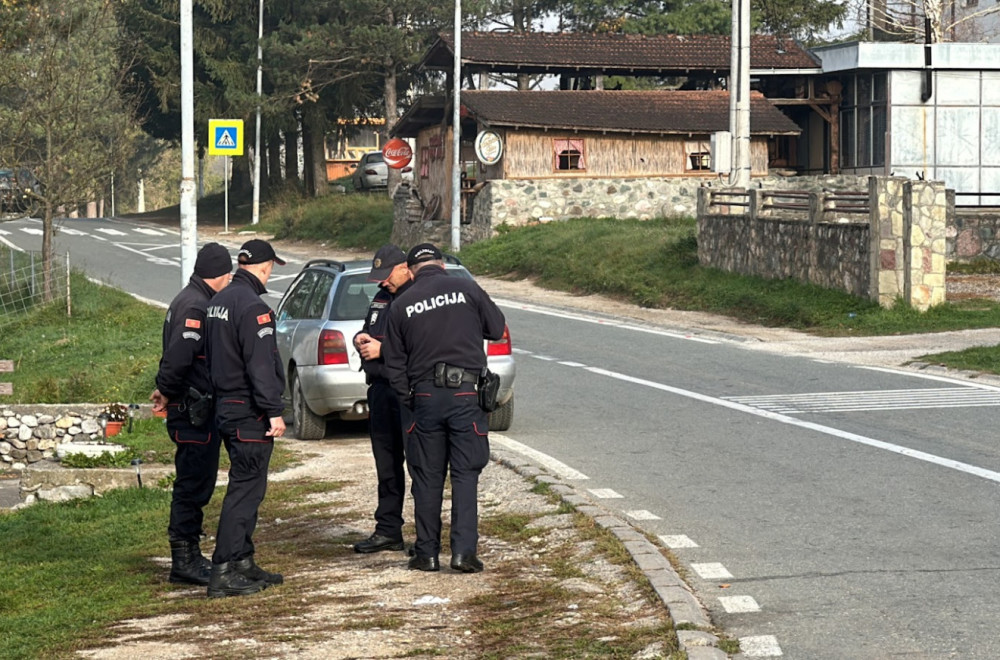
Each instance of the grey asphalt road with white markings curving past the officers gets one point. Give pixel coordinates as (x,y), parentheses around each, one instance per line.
(821,509)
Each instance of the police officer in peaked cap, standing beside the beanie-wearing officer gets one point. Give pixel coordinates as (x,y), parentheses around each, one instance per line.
(248,380)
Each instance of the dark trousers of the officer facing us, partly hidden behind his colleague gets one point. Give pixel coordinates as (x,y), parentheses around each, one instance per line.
(386,421)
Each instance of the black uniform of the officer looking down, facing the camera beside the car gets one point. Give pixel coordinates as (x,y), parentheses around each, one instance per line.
(385,423)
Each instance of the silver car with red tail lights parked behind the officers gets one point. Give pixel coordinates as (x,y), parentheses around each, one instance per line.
(317,319)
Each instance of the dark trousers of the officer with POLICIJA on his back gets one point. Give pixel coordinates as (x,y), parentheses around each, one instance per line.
(449,429)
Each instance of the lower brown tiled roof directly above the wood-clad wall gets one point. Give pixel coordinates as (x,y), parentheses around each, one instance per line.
(623,111)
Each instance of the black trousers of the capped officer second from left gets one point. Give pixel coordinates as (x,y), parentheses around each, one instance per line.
(243,431)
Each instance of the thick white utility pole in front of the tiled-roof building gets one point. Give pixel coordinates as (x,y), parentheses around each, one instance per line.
(739,95)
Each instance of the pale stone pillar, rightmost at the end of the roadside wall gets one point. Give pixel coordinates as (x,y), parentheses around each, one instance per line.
(927,207)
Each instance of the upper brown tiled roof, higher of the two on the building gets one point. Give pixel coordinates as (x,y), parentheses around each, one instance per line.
(614,54)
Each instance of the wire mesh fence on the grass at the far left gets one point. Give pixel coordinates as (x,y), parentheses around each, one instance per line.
(23,284)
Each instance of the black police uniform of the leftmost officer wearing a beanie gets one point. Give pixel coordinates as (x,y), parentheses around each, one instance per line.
(183,366)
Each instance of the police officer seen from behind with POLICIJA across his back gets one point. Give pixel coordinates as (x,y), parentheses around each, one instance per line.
(433,357)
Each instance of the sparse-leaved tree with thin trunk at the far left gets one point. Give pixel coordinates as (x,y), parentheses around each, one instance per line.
(61,113)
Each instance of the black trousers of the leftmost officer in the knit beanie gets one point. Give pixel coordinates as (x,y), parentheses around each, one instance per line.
(196,462)
